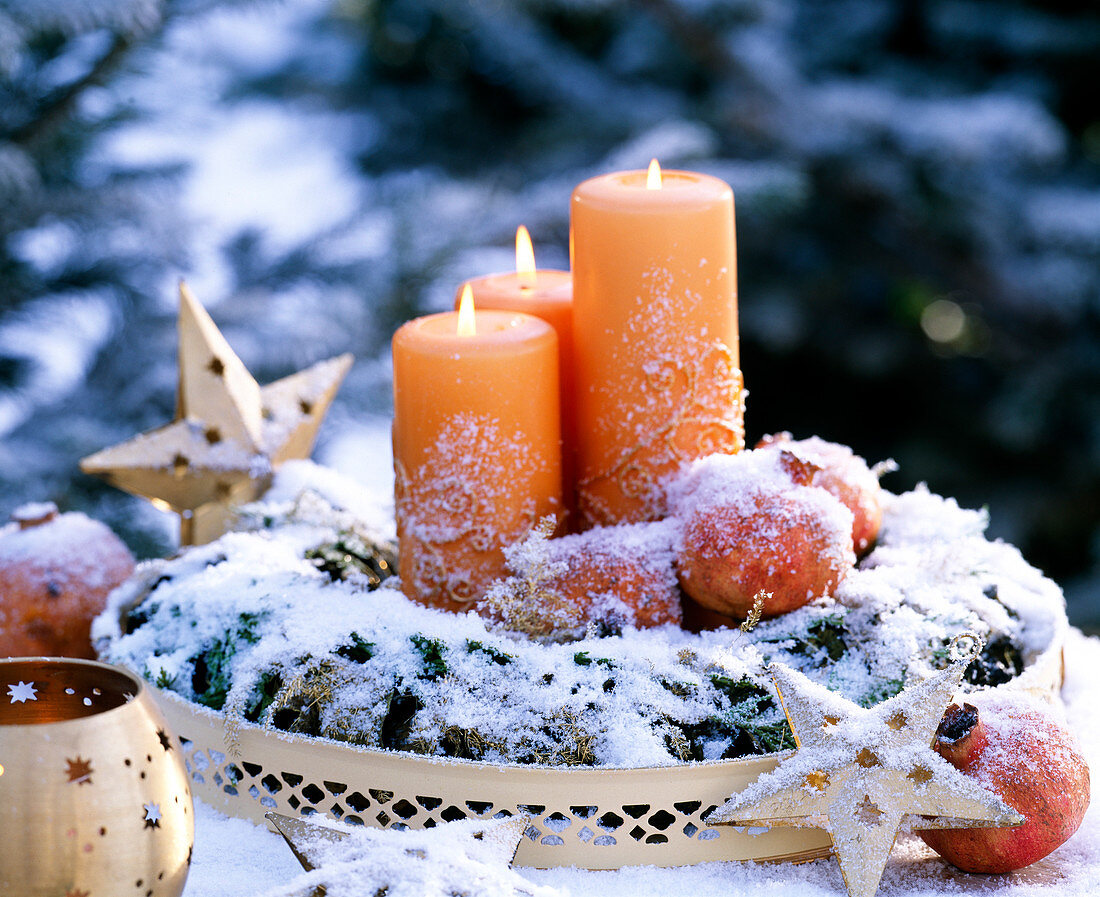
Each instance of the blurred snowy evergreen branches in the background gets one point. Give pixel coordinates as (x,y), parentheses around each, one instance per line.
(918,190)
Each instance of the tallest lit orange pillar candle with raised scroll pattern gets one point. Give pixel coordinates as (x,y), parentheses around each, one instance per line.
(655,336)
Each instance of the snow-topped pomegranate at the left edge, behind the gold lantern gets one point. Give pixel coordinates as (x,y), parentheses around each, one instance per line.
(56,574)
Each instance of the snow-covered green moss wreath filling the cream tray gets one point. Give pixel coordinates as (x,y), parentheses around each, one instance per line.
(250,626)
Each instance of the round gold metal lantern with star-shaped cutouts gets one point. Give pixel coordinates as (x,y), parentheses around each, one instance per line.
(94,793)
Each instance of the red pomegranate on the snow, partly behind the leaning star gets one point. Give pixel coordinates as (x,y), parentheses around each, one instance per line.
(1036,767)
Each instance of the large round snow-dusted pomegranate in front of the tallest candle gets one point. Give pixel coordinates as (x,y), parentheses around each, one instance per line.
(751,527)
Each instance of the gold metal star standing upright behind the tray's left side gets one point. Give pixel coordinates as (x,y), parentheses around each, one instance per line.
(229,436)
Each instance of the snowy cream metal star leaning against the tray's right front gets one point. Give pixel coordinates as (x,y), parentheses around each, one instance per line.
(863,775)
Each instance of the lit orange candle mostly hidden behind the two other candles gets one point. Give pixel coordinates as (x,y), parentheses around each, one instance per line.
(547,294)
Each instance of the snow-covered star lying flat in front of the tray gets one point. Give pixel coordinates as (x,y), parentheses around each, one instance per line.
(472,858)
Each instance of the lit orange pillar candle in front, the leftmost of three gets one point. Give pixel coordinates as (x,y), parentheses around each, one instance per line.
(477,447)
